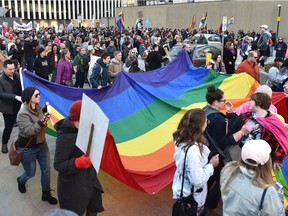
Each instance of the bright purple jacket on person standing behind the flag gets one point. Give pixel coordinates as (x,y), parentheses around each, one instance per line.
(64,71)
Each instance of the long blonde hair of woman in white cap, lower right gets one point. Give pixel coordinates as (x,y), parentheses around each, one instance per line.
(263,176)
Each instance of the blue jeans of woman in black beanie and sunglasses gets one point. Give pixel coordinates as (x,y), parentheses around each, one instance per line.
(42,155)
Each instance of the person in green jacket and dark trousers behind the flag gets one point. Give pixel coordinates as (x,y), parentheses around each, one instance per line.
(80,66)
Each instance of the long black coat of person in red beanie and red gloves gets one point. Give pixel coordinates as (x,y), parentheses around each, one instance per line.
(75,186)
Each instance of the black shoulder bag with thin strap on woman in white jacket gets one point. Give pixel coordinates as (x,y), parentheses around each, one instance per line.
(185,206)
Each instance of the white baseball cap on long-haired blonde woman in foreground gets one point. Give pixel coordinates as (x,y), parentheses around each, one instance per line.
(255,152)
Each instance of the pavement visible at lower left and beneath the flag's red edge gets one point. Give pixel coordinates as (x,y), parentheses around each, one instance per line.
(118,199)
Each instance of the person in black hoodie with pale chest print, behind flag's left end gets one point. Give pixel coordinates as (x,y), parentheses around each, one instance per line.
(41,64)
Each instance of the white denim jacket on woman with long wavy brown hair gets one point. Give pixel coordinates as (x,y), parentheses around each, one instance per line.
(197,172)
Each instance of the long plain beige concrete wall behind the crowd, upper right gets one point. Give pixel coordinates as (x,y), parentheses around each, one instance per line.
(248,14)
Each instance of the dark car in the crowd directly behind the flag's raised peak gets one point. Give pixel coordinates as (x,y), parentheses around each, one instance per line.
(198,53)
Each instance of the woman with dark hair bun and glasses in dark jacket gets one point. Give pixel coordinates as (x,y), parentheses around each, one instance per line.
(222,134)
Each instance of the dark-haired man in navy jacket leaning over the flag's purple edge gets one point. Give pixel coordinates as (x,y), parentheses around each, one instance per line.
(99,77)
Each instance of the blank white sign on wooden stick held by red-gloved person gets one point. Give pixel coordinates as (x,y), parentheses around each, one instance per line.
(92,114)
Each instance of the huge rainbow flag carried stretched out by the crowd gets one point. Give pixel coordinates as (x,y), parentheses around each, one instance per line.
(144,110)
